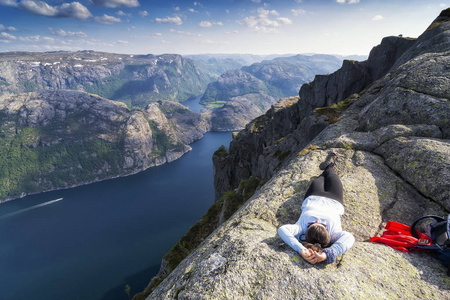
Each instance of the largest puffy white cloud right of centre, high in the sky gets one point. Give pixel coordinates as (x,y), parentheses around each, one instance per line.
(263,22)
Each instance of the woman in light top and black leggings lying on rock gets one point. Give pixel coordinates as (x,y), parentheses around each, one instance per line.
(319,225)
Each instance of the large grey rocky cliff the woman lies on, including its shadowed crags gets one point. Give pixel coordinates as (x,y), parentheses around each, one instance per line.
(393,147)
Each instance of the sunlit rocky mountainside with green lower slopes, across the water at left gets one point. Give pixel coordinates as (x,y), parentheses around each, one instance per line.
(58,139)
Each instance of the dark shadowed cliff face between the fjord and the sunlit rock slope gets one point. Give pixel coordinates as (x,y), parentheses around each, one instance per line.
(261,148)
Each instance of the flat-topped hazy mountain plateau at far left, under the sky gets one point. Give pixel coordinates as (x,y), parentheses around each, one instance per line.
(135,80)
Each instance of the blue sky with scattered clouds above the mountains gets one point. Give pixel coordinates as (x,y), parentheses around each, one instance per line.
(344,27)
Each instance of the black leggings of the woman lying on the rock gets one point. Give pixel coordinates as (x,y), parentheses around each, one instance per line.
(327,185)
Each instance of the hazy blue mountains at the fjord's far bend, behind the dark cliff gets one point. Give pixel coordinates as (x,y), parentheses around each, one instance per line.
(258,86)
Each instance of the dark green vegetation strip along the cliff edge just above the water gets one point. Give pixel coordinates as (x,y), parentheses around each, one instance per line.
(226,206)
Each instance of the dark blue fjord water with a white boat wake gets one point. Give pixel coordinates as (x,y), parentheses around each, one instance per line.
(105,235)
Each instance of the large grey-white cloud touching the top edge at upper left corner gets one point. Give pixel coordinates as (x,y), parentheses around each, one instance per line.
(66,10)
